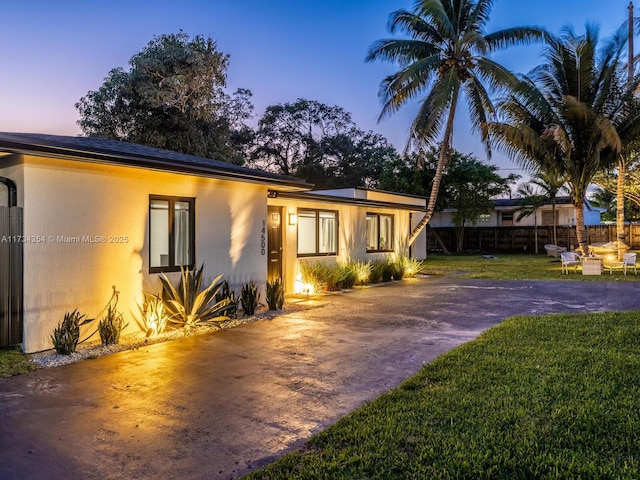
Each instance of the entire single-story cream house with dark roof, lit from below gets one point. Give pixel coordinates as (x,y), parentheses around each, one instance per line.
(84,214)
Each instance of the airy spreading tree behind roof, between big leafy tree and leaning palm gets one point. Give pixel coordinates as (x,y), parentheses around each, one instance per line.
(319,143)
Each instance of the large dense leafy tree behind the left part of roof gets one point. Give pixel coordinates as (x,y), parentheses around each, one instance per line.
(171,97)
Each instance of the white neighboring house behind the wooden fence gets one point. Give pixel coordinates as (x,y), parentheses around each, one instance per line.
(505,214)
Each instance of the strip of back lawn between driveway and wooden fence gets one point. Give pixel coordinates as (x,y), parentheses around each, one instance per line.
(513,267)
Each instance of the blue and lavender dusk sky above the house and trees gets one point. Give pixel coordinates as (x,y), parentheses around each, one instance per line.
(53,52)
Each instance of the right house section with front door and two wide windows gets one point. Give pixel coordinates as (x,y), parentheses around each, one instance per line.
(338,226)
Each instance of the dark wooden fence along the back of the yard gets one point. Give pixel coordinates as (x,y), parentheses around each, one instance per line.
(522,239)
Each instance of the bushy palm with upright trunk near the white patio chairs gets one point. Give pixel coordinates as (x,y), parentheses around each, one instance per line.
(565,113)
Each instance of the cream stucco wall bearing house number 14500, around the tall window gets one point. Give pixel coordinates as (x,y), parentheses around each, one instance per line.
(107,208)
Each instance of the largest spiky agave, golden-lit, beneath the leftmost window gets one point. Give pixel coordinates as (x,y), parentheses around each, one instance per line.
(190,305)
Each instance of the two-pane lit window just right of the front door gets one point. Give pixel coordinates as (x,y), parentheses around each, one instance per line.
(317,232)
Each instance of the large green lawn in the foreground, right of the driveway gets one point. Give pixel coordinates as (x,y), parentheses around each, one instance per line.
(534,397)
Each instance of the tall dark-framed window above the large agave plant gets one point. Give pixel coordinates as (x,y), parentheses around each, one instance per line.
(171,233)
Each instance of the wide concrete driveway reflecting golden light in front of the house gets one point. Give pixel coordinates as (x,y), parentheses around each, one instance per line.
(217,406)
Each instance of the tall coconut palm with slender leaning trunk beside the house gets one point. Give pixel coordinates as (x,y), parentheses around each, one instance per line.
(446,56)
